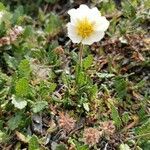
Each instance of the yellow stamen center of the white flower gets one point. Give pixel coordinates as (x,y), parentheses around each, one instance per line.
(84,28)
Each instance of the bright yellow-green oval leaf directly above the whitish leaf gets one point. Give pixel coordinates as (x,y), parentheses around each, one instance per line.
(22,87)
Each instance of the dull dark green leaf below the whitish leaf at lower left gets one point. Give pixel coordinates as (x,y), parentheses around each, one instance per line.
(14,122)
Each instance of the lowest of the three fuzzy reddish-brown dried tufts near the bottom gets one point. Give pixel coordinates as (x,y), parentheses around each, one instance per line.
(91,136)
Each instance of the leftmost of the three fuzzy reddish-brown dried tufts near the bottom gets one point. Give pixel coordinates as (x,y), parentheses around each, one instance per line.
(66,122)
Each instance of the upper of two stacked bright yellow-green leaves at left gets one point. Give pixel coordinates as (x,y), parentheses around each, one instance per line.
(24,68)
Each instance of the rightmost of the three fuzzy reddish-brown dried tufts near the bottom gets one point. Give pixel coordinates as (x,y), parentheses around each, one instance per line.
(107,128)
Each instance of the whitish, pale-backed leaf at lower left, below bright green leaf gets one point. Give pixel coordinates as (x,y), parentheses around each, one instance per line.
(19,103)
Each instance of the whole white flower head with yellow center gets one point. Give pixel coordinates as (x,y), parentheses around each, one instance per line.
(87,25)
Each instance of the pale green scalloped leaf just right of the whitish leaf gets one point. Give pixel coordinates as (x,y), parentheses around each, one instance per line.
(39,106)
